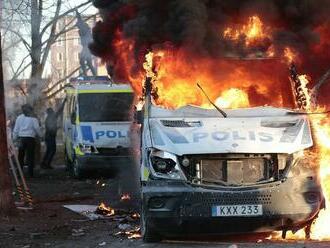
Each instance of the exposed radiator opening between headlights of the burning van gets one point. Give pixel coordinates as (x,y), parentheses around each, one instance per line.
(232,169)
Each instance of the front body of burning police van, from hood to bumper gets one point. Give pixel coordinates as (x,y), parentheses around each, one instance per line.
(250,170)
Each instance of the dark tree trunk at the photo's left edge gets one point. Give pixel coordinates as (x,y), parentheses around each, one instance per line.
(7,206)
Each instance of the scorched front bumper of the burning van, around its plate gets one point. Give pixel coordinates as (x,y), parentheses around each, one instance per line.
(176,208)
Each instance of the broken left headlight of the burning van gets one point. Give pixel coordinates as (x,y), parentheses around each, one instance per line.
(165,165)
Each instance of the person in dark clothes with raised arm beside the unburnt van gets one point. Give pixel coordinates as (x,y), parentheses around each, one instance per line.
(50,136)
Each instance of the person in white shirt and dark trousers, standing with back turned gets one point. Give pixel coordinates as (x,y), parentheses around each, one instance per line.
(26,131)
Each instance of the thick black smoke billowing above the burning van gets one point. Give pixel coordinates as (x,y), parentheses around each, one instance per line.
(197,25)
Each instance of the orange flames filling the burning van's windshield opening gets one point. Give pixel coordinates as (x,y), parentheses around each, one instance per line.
(176,78)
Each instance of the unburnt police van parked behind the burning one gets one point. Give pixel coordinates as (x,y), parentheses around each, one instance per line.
(97,121)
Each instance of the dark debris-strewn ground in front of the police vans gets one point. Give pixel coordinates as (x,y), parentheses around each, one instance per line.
(51,225)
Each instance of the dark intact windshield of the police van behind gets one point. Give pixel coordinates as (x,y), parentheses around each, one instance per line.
(104,107)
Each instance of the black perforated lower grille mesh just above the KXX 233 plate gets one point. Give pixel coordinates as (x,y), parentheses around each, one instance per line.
(201,204)
